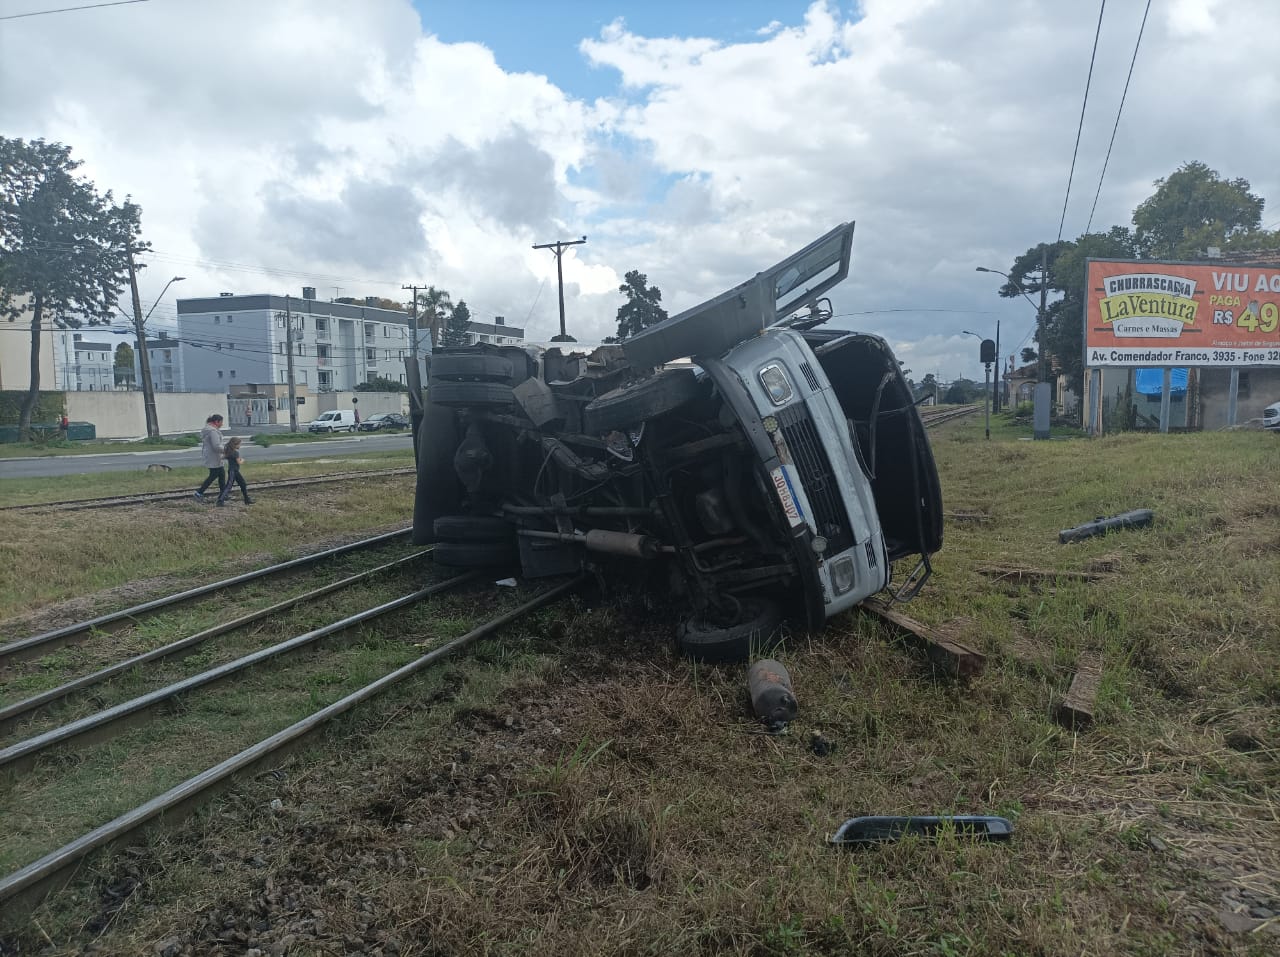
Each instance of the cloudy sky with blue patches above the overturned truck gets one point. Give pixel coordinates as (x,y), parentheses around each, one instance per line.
(358,145)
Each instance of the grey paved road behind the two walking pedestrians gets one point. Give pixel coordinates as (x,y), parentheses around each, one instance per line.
(138,461)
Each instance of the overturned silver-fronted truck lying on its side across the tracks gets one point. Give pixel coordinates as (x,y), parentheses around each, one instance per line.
(778,474)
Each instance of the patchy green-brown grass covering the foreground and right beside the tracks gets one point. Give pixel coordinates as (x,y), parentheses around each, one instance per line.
(575,789)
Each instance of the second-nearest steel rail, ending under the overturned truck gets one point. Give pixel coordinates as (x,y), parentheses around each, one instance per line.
(22,755)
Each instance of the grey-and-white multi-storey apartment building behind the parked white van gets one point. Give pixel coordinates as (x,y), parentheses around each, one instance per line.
(232,340)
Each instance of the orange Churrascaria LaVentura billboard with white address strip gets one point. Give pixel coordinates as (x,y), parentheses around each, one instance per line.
(1182,314)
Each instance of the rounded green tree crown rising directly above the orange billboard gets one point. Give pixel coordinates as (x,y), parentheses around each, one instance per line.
(1194,209)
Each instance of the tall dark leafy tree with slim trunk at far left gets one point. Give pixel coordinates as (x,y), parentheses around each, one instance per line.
(65,246)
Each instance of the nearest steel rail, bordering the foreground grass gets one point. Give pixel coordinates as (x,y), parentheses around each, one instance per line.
(40,876)
